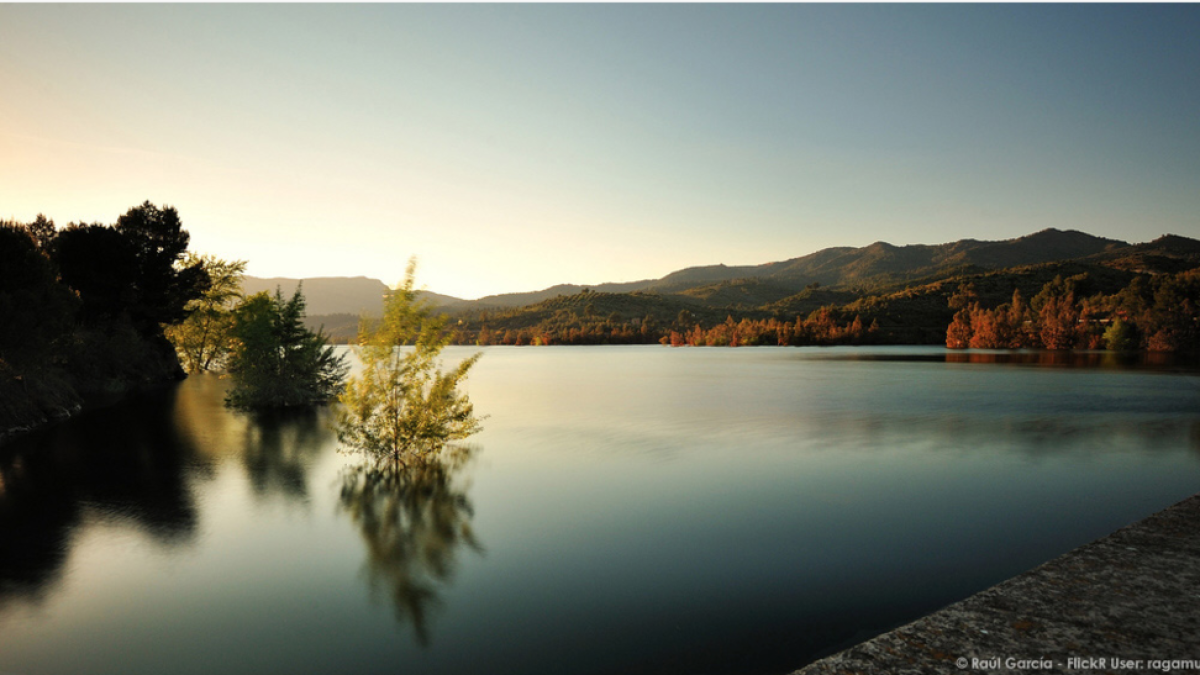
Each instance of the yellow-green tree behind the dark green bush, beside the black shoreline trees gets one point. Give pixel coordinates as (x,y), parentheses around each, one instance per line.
(205,341)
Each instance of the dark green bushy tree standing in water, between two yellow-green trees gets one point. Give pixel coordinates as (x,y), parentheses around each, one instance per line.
(278,362)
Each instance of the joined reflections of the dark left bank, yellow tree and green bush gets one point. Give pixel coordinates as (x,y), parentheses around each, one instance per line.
(134,463)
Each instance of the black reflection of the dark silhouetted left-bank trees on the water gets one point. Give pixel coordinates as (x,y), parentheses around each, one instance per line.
(127,465)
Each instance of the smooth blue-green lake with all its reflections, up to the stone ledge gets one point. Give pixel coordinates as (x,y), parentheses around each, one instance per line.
(626,510)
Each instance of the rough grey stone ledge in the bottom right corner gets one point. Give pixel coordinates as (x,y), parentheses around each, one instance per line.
(1133,595)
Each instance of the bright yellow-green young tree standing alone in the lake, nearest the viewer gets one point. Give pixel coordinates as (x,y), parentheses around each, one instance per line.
(403,407)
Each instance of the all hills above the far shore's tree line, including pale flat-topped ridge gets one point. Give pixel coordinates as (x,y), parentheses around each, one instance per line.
(879,280)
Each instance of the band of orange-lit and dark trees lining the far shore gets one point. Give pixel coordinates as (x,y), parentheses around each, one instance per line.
(1077,308)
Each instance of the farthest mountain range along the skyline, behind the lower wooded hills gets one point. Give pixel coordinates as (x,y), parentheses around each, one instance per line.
(836,276)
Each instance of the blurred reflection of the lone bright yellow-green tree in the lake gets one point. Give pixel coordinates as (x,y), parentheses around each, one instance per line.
(415,519)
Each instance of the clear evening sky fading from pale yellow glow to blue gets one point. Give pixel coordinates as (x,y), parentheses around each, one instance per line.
(515,147)
